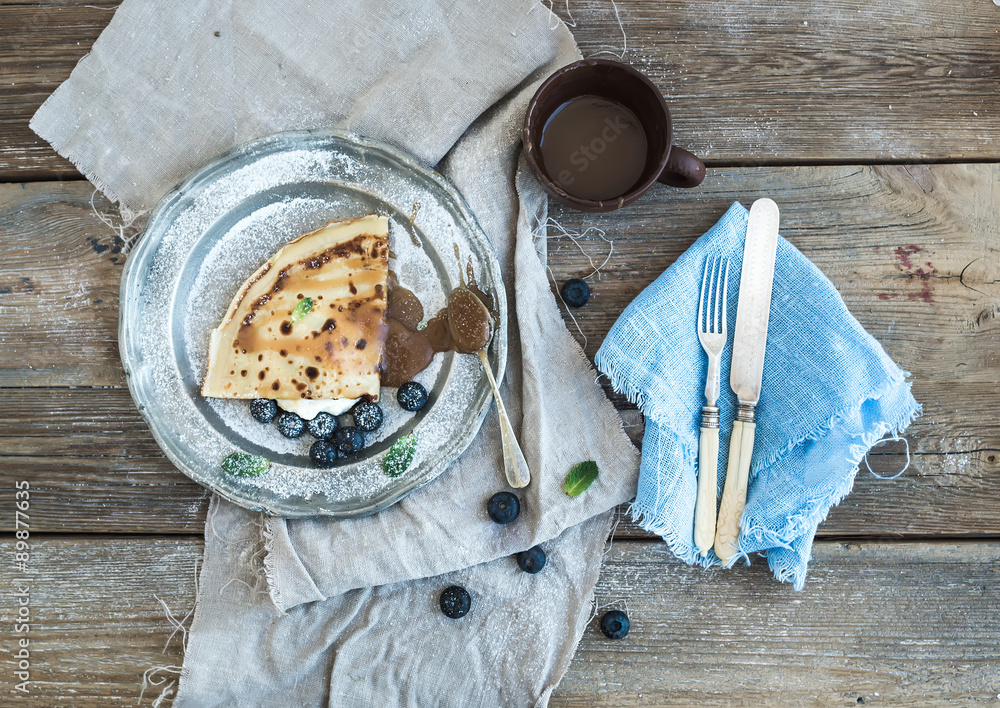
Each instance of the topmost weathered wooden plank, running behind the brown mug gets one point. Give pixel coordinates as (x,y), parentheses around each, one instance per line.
(750,83)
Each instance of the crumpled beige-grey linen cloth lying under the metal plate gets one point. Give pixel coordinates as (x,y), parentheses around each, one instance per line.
(344,613)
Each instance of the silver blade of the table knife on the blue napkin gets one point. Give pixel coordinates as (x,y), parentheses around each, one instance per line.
(753,310)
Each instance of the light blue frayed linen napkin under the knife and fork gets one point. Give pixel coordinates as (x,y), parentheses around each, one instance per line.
(830,392)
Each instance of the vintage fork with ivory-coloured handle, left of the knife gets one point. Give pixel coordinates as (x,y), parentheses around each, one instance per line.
(712,335)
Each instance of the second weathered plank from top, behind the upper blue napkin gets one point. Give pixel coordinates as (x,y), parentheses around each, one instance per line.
(912,250)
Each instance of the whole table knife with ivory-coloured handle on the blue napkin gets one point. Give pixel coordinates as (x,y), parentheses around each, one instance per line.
(747,369)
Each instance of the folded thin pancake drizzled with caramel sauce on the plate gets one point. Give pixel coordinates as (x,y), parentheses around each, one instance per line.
(333,351)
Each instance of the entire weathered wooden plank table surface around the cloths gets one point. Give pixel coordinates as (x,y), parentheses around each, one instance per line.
(873,124)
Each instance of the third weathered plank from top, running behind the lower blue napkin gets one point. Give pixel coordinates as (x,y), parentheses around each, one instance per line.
(96,468)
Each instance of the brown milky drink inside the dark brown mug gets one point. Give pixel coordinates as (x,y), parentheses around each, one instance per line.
(594,148)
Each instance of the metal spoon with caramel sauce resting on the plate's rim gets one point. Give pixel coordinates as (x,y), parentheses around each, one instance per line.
(471,329)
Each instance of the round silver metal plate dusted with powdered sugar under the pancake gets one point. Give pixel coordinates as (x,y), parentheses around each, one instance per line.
(214,230)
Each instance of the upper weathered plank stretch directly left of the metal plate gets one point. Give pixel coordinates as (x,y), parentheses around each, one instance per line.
(61,267)
